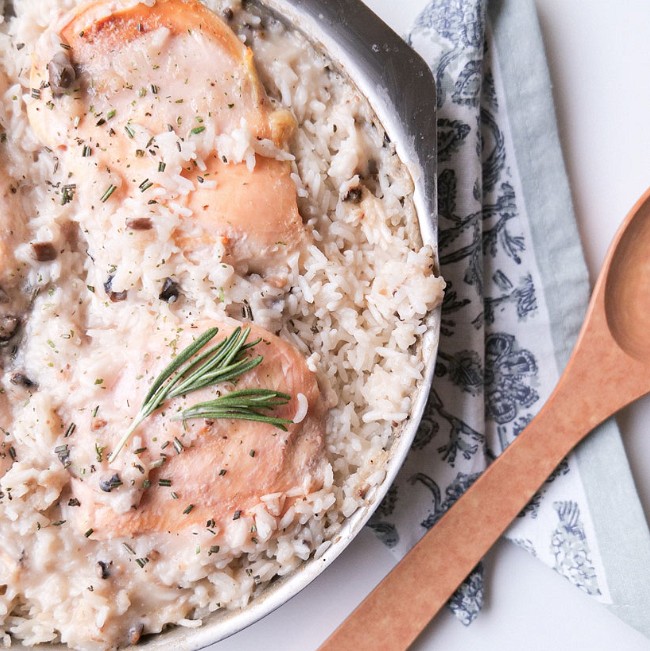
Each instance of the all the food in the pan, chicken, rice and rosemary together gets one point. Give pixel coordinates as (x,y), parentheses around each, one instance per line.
(213,296)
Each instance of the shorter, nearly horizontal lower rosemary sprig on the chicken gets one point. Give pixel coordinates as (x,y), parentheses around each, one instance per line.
(246,404)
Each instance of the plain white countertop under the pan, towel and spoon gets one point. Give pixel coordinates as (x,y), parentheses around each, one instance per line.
(599,57)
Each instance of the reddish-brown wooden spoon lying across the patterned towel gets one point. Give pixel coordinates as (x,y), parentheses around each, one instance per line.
(609,368)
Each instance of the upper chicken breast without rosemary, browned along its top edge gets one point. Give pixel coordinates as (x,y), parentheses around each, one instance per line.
(126,73)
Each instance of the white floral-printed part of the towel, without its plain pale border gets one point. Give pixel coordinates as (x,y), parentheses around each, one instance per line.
(494,331)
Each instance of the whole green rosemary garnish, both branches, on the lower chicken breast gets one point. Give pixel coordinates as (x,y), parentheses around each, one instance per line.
(193,369)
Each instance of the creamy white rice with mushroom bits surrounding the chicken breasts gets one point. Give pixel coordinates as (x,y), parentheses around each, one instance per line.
(354,304)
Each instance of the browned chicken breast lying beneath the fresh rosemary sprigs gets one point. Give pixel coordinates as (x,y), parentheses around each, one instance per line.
(224,468)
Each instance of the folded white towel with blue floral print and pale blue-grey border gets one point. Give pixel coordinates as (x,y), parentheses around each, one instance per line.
(517,288)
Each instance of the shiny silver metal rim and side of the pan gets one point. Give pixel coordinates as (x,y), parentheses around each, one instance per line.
(401,91)
